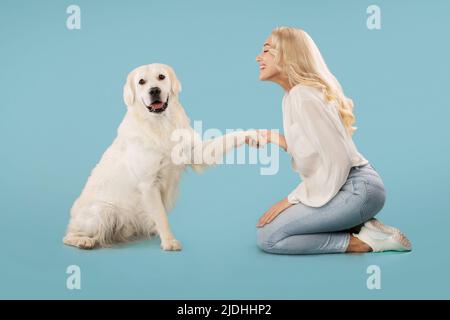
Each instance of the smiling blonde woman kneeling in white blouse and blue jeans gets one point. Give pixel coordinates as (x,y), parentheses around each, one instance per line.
(332,210)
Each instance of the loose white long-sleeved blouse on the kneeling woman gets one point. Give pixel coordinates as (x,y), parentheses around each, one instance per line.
(322,151)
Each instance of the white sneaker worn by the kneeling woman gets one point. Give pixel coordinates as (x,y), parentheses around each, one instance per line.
(381,237)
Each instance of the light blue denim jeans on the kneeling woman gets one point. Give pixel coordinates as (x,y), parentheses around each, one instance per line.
(301,229)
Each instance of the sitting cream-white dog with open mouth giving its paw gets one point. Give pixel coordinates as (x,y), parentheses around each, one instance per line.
(131,189)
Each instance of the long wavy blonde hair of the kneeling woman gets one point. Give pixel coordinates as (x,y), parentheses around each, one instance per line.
(298,57)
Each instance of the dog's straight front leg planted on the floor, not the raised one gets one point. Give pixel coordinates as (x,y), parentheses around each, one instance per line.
(153,205)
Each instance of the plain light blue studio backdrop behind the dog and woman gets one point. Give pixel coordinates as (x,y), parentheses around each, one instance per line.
(61,103)
